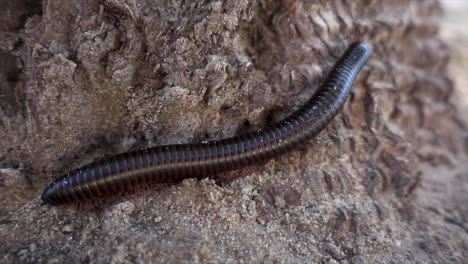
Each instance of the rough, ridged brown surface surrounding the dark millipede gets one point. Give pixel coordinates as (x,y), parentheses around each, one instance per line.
(385,182)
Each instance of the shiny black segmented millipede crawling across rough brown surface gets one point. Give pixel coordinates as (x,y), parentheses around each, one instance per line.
(125,171)
